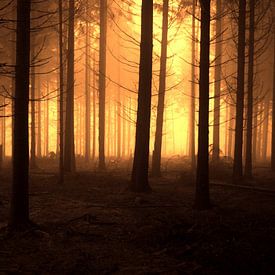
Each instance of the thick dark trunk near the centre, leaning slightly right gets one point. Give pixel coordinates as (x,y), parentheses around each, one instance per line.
(141,156)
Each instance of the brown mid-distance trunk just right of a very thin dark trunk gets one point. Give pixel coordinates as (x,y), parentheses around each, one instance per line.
(69,150)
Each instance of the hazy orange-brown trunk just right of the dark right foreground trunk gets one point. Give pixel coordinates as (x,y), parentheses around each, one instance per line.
(217,93)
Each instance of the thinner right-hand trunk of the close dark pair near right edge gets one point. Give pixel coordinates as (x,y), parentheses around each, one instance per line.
(248,157)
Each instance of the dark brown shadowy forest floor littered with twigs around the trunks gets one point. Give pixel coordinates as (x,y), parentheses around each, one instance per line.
(92,224)
